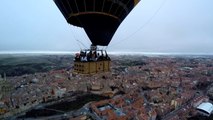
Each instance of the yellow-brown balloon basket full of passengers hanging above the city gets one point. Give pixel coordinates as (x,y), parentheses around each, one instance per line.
(91,61)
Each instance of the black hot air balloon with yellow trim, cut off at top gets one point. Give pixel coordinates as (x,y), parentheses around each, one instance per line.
(99,18)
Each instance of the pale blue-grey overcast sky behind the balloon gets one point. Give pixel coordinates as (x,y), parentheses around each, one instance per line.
(160,26)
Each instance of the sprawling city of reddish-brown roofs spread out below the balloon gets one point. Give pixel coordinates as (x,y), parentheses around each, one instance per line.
(137,87)
